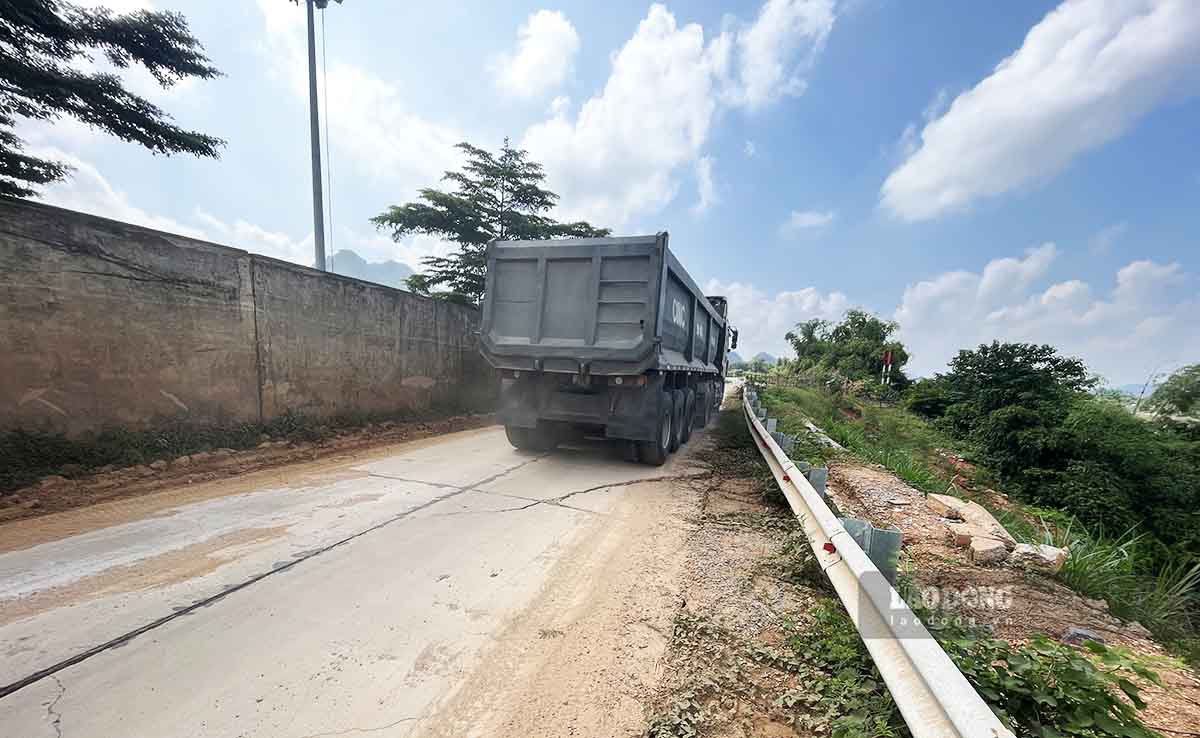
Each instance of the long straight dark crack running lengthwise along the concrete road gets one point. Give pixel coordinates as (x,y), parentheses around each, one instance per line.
(122,640)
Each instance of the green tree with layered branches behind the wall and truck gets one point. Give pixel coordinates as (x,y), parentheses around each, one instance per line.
(495,199)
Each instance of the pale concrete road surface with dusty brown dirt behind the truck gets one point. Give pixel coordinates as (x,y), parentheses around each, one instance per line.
(415,591)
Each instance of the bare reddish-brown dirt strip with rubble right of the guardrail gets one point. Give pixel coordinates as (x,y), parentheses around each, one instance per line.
(1013,604)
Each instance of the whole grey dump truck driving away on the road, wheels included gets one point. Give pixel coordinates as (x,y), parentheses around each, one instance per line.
(605,337)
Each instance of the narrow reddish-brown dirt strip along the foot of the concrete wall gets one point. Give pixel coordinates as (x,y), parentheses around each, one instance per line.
(57,494)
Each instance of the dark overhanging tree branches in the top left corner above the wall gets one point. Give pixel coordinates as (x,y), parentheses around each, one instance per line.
(41,44)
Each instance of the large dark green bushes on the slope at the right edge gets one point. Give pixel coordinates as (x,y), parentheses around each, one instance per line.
(1031,416)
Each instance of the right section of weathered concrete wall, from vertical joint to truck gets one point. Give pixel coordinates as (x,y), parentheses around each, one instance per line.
(391,350)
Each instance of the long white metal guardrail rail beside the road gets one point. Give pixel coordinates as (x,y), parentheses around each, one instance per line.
(933,695)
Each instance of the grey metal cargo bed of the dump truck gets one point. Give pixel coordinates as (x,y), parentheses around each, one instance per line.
(597,307)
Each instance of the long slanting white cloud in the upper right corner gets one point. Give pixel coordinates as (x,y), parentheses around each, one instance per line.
(1083,77)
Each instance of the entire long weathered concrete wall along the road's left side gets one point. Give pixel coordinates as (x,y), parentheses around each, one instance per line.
(110,325)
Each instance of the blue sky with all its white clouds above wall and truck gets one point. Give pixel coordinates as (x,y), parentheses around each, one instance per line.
(1022,171)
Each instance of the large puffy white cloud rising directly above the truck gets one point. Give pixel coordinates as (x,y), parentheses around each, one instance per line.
(619,158)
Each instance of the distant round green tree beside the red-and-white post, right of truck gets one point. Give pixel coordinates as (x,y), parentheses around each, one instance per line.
(854,349)
